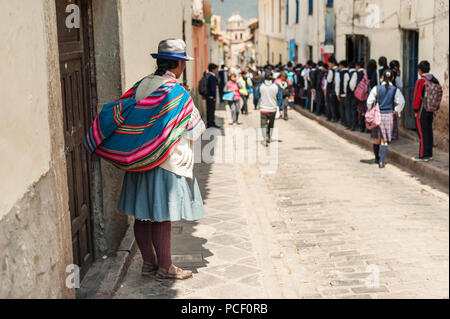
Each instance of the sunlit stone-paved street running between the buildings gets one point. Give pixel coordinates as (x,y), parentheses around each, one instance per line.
(324,226)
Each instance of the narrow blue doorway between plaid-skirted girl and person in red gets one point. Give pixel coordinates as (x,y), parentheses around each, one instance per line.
(410,39)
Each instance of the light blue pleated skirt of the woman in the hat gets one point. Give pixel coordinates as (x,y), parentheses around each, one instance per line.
(159,195)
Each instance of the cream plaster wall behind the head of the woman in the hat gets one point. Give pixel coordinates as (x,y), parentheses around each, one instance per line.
(142,25)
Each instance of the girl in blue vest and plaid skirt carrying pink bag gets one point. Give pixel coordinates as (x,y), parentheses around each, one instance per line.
(391,103)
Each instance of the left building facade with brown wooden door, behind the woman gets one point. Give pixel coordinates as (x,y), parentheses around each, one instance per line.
(63,60)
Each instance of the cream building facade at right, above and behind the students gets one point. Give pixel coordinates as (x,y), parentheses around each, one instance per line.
(408,31)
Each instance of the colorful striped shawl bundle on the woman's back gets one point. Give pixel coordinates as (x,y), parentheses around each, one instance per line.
(139,136)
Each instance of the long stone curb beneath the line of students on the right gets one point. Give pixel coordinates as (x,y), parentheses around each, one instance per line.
(420,169)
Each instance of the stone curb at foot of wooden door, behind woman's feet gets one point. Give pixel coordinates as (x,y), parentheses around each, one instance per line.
(118,266)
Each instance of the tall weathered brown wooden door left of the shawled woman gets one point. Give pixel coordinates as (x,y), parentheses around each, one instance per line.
(74,54)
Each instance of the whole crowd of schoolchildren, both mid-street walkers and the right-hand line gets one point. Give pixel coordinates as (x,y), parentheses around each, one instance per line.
(343,92)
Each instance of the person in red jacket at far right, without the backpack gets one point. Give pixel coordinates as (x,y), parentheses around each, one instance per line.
(424,119)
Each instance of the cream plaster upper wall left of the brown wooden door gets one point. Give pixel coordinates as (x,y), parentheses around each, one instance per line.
(24,133)
